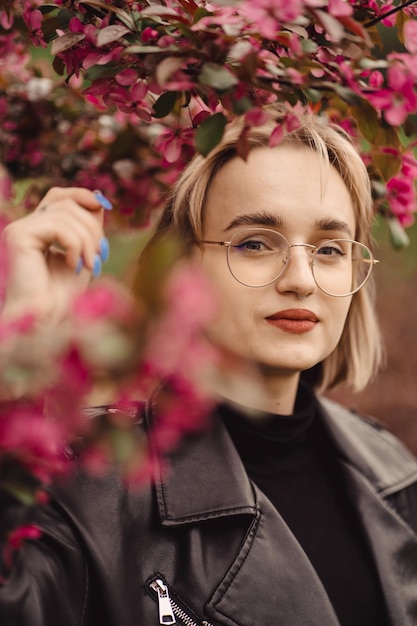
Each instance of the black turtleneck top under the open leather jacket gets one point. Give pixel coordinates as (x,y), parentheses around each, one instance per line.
(293,461)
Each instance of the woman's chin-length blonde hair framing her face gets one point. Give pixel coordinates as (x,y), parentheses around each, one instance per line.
(358,354)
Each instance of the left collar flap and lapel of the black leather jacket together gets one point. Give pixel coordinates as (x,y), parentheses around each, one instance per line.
(270,574)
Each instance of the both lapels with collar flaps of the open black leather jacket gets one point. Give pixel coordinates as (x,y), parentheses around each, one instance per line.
(206,480)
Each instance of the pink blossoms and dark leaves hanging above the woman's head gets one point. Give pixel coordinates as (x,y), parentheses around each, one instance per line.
(146,84)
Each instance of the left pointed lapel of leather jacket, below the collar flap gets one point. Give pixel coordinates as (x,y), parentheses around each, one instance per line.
(271,581)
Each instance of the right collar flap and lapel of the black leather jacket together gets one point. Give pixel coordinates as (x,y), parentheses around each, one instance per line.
(377,466)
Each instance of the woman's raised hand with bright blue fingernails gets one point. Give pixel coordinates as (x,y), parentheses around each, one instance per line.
(52,253)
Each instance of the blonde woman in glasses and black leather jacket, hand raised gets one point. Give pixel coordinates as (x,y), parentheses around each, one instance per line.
(305,516)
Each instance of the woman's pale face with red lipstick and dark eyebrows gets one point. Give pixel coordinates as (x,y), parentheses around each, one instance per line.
(286,189)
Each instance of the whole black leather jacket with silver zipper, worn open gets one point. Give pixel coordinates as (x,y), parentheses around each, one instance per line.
(206,537)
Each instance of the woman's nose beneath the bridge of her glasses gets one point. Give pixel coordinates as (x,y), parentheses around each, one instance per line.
(298,276)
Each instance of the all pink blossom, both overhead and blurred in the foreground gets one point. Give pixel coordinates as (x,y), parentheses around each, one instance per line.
(130,92)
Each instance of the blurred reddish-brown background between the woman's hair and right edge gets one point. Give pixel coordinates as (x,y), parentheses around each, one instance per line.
(392,397)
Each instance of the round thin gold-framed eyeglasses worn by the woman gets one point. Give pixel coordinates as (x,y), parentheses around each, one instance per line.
(259,256)
